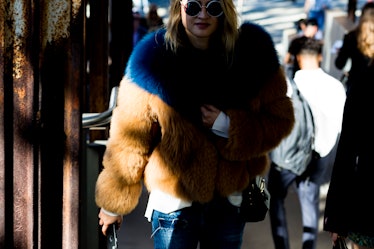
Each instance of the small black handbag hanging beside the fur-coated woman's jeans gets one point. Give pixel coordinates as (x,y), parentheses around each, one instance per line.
(256,200)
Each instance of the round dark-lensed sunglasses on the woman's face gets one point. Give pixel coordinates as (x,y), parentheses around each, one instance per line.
(193,8)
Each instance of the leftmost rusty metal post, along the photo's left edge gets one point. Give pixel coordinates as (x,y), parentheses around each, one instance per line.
(17,140)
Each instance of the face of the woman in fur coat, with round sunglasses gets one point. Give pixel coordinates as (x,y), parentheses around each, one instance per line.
(200,20)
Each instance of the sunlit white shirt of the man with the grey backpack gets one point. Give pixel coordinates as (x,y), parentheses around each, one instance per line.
(326,97)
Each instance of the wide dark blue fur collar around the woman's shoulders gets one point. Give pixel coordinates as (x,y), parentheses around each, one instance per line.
(193,77)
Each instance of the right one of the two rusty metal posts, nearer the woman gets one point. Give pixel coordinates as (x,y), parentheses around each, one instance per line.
(62,78)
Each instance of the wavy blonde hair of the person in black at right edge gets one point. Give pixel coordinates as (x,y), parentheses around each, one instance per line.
(365,30)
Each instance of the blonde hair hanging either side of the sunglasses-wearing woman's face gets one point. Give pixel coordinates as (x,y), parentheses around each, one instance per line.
(227,31)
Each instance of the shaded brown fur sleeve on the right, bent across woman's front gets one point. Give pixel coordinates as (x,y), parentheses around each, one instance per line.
(267,121)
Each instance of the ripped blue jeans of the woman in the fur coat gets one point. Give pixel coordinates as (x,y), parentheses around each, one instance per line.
(217,224)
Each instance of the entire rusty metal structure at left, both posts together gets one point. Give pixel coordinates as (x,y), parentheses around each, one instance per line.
(42,74)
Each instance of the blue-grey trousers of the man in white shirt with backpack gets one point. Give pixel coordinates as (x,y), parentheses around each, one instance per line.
(308,192)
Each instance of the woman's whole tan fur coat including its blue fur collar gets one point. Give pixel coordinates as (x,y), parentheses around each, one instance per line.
(156,134)
